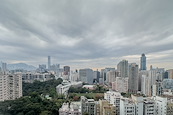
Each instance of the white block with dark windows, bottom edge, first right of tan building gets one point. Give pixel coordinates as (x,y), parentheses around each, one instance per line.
(127,107)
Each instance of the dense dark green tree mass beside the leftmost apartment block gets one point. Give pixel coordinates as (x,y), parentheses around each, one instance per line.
(33,103)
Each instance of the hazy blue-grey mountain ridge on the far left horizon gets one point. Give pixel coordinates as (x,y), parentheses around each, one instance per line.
(20,66)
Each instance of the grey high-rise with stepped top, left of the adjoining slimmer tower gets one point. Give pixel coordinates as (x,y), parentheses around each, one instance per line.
(122,67)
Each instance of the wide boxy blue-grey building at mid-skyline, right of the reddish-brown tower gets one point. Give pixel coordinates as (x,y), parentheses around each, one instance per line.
(86,75)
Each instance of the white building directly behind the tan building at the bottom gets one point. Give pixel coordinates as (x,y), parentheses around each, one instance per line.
(113,98)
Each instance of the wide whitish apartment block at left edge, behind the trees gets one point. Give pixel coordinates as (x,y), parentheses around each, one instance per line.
(10,86)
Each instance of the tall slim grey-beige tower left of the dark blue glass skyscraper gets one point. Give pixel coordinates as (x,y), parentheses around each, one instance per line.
(133,78)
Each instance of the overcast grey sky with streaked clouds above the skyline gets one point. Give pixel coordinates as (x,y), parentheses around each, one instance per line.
(86,33)
